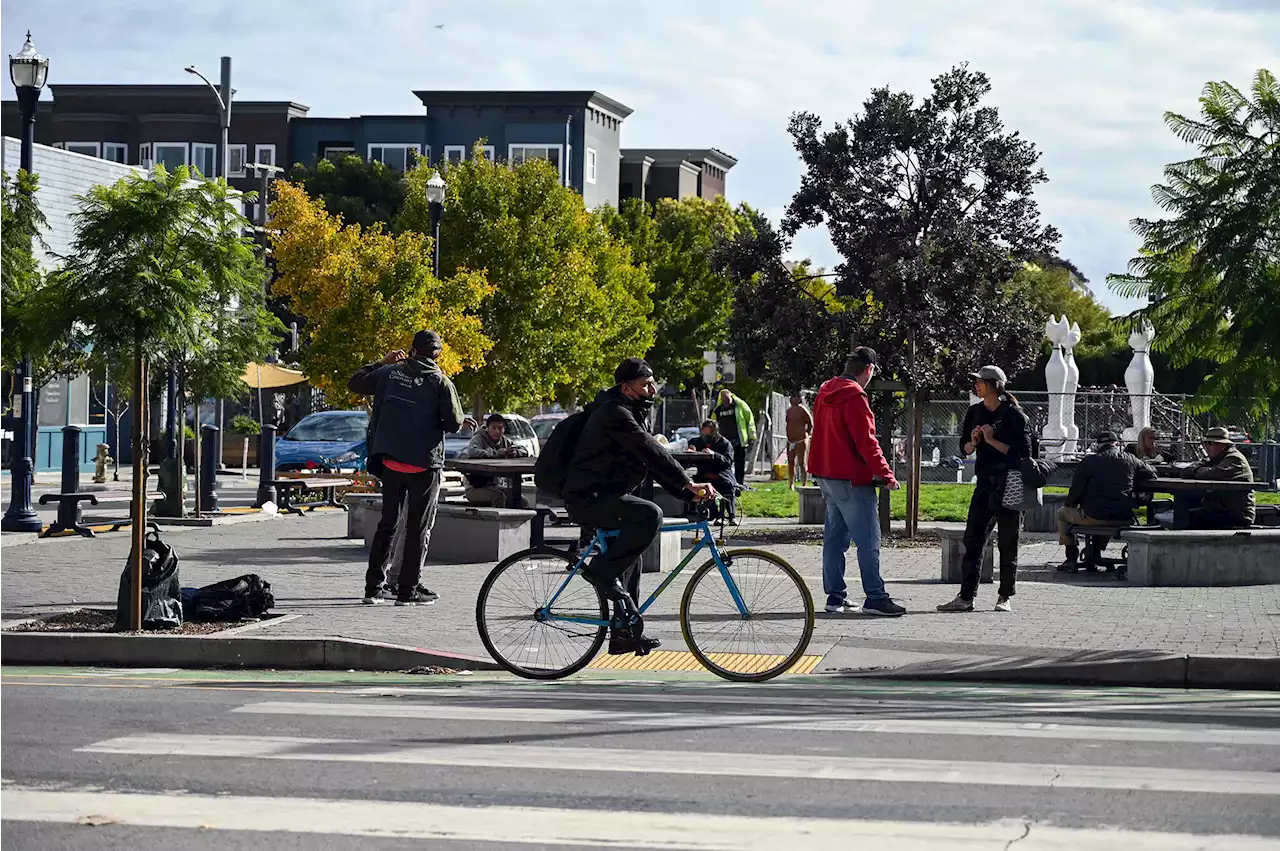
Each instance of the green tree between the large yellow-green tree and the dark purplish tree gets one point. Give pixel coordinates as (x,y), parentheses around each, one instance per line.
(674,241)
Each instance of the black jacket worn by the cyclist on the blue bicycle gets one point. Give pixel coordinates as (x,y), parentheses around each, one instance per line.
(615,452)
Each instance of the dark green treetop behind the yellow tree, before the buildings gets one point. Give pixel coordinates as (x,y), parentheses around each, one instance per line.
(362,193)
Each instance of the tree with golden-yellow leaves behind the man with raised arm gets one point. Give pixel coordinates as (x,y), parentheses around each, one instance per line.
(365,292)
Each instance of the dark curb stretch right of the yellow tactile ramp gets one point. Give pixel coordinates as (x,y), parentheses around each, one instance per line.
(1101,669)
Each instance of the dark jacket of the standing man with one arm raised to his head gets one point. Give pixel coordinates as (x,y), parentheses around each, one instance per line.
(415,406)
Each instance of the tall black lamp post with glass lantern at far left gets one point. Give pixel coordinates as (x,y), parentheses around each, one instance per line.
(29,72)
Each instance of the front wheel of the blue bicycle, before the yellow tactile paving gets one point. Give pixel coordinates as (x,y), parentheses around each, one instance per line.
(761,644)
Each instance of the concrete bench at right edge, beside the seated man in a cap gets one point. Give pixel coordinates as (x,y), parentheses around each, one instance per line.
(1182,559)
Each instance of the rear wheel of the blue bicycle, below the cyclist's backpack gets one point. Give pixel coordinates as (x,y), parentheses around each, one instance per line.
(513,629)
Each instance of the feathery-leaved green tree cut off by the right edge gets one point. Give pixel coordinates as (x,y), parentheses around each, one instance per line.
(1212,268)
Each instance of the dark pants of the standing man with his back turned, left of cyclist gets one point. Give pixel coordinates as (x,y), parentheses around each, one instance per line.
(423,492)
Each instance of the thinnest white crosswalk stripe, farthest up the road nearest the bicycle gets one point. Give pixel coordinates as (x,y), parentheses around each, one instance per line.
(861,725)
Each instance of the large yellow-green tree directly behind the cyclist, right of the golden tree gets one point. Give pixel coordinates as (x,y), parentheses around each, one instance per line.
(568,304)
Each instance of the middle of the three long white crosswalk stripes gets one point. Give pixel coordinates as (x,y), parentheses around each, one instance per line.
(701,763)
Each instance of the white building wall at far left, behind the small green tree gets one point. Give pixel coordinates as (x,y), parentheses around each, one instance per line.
(63,177)
